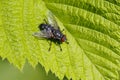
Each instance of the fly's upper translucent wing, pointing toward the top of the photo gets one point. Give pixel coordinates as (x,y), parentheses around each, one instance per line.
(52,21)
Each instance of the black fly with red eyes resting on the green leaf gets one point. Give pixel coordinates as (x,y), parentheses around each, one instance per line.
(51,31)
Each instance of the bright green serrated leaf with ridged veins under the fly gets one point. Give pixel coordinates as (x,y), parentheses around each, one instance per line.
(92,28)
